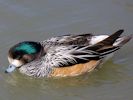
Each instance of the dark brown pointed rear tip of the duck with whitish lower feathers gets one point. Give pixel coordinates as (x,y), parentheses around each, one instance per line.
(111,43)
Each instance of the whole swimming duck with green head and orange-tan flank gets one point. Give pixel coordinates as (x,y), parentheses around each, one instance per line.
(64,56)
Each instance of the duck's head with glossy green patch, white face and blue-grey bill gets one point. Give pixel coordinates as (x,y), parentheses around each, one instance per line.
(23,53)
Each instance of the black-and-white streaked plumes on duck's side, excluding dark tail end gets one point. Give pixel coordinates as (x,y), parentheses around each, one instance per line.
(62,56)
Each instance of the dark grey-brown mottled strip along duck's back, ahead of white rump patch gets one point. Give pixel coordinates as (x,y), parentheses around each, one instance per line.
(81,39)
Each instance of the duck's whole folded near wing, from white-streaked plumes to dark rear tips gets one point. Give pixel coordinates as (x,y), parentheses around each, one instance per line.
(62,56)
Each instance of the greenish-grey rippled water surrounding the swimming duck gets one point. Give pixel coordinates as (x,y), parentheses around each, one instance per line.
(40,19)
